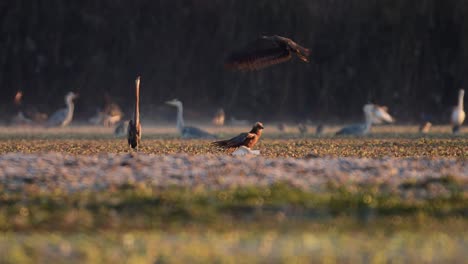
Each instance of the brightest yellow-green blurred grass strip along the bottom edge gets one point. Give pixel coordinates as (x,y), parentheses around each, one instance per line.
(430,245)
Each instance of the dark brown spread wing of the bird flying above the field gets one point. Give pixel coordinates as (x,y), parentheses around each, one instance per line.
(258,54)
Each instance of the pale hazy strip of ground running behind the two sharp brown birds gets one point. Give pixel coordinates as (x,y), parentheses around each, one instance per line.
(271,130)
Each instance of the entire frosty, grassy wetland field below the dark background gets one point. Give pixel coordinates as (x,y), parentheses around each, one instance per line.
(78,194)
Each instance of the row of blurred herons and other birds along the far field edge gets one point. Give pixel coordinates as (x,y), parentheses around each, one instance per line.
(111,115)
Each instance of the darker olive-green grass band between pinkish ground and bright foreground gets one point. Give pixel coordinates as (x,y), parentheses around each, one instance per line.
(131,207)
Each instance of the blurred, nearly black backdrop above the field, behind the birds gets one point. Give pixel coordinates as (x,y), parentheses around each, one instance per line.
(409,55)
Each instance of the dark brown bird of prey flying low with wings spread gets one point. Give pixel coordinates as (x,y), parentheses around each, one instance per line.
(265,51)
